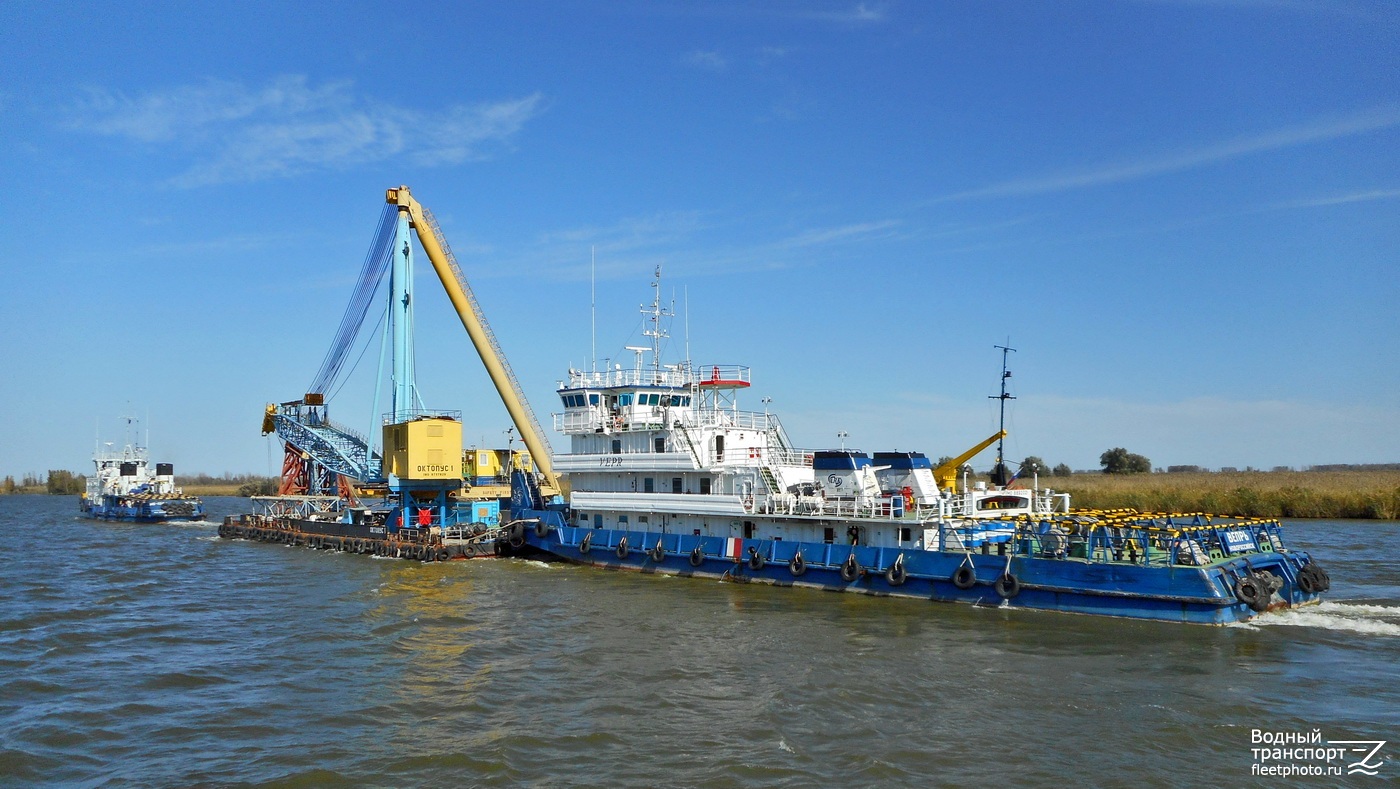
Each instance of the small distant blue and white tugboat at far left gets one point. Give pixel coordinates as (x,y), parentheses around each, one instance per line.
(124,489)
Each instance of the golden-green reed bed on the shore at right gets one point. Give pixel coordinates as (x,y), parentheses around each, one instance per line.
(1258,495)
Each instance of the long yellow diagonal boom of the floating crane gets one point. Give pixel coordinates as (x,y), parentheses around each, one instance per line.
(496,366)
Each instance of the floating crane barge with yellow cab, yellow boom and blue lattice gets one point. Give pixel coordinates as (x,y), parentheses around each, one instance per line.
(412,495)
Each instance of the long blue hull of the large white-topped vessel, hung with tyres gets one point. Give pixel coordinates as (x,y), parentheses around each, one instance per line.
(1200,595)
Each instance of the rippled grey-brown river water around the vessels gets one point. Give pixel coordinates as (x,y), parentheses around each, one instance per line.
(166,657)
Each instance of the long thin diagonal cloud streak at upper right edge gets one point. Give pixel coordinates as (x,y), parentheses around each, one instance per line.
(1322,131)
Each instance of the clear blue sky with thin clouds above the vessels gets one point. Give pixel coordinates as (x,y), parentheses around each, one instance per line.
(1184,215)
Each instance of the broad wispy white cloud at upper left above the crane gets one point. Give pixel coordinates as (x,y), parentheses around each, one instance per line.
(229,132)
